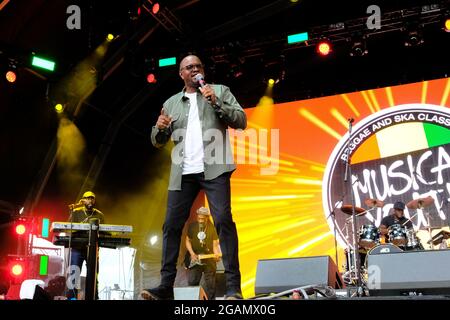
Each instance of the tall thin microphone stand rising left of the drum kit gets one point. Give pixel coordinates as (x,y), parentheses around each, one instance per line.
(348,172)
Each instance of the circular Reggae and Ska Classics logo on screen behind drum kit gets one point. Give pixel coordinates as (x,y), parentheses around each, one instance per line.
(398,154)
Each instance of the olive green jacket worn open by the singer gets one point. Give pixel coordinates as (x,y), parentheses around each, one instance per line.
(214,120)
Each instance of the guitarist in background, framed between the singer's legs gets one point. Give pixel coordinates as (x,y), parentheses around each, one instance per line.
(201,240)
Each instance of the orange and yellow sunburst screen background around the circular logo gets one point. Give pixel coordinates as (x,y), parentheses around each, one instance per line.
(281,215)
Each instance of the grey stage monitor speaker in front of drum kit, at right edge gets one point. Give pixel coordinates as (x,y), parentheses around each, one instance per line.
(409,273)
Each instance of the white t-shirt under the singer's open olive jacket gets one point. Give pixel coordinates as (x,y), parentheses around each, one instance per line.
(193,146)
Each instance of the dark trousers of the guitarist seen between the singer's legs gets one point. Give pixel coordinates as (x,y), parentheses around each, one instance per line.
(208,271)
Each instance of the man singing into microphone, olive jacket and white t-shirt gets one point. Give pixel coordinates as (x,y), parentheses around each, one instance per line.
(197,119)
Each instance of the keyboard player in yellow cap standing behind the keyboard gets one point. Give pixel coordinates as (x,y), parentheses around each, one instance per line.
(82,212)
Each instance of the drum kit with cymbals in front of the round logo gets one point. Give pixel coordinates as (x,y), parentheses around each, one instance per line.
(369,238)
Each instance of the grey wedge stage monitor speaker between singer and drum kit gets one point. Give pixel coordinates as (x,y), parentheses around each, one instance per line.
(277,275)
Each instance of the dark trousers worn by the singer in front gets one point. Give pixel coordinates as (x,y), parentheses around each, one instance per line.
(178,209)
